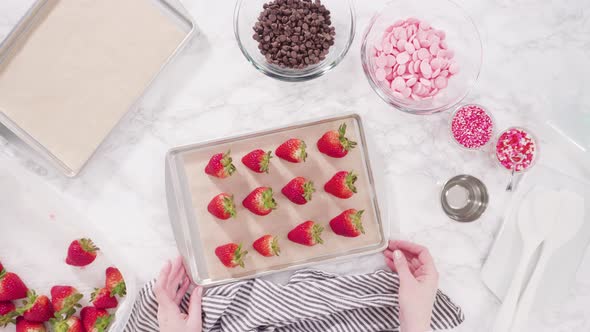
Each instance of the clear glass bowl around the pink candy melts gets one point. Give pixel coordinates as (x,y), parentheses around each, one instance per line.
(462,37)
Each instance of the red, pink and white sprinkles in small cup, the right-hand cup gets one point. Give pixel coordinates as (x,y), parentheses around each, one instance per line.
(516,148)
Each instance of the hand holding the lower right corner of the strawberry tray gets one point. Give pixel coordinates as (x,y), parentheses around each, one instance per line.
(418,283)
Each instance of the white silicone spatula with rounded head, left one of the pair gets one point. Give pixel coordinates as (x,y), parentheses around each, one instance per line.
(535,220)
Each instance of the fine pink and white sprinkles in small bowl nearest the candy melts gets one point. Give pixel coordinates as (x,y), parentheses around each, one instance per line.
(472,127)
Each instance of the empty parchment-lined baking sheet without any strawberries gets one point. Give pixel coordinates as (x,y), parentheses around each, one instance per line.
(72,68)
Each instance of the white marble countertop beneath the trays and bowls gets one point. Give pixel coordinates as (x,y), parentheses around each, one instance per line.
(535,63)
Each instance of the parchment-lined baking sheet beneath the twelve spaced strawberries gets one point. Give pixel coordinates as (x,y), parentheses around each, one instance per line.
(207,232)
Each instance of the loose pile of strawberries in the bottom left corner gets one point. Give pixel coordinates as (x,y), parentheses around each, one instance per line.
(31,312)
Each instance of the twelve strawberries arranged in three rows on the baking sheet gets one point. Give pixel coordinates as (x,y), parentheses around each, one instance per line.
(299,190)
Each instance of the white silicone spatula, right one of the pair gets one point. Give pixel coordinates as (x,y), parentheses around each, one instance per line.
(570,221)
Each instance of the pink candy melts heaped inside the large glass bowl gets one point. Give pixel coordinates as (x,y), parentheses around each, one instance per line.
(414,60)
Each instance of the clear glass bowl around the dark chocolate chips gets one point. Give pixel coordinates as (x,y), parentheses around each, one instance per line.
(343,20)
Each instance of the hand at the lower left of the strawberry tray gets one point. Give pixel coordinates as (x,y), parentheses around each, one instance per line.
(170,288)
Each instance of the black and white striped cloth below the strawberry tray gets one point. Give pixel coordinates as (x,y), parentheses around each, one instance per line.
(311,301)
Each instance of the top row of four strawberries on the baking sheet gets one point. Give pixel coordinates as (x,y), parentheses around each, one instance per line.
(333,143)
